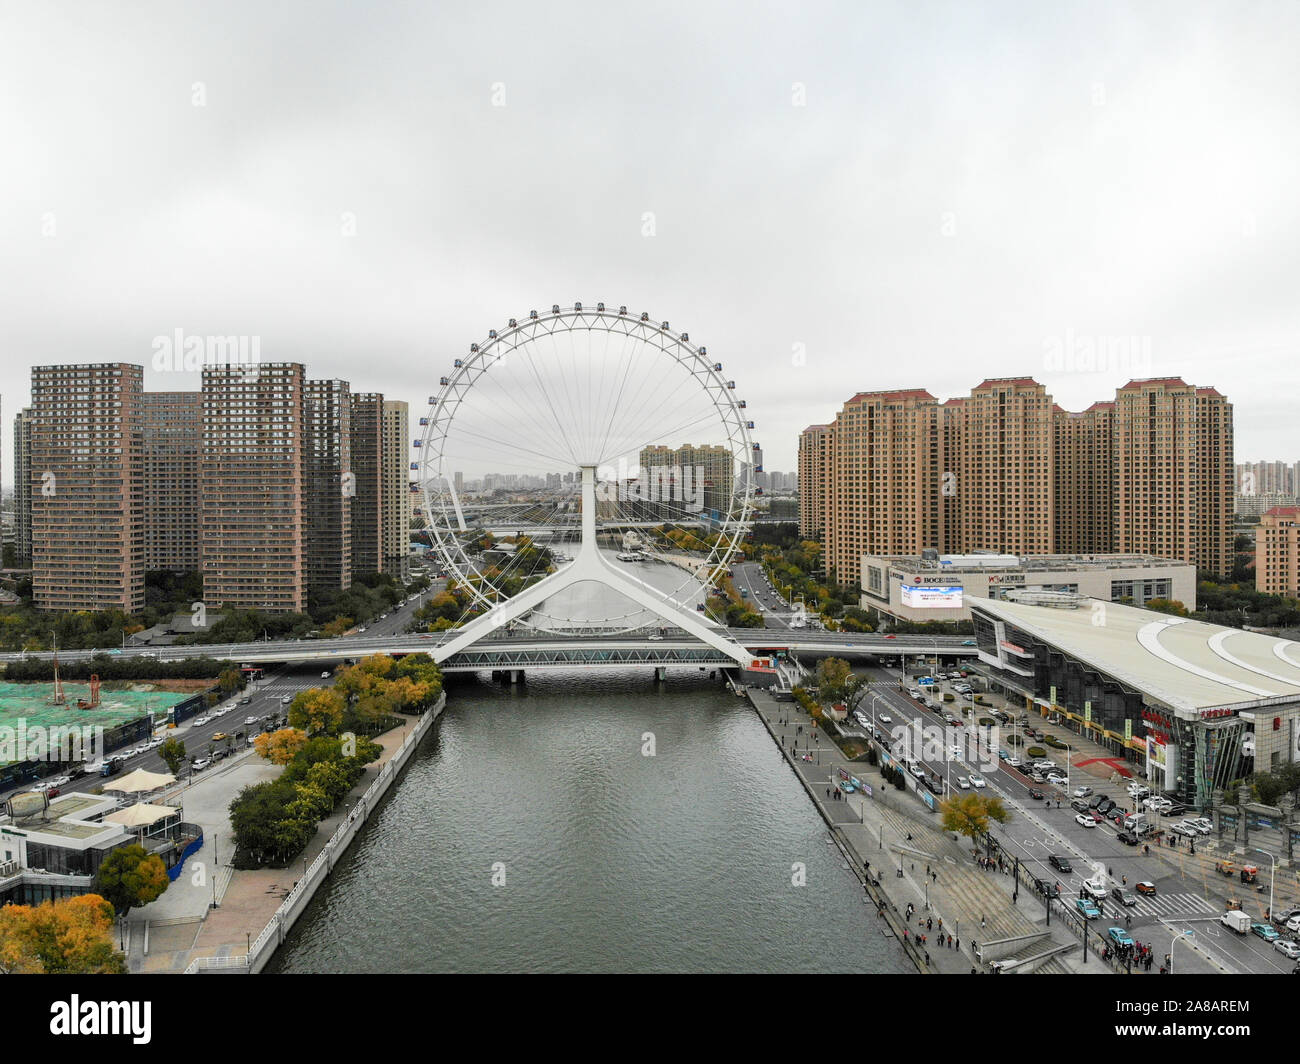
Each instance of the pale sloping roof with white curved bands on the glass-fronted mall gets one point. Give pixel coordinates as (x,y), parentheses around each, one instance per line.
(1186,665)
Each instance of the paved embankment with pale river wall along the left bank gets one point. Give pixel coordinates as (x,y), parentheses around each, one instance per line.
(255,909)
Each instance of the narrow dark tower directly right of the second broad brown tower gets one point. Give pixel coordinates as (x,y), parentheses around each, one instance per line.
(328,486)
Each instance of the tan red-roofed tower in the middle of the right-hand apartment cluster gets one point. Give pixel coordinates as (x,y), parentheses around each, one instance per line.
(1006,478)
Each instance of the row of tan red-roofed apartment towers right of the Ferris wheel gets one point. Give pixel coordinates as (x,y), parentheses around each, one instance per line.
(1008,472)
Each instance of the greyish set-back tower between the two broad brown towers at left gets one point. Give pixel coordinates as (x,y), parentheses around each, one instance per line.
(172,436)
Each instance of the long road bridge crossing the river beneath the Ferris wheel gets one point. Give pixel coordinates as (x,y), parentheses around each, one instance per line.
(658,648)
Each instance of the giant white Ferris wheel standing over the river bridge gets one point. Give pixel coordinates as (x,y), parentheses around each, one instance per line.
(596,400)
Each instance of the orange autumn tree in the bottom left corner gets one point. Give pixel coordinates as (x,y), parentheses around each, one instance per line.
(72,936)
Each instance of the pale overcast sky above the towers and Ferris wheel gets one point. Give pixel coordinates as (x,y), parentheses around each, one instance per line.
(831,197)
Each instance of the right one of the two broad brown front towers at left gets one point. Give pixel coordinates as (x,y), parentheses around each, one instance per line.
(253,488)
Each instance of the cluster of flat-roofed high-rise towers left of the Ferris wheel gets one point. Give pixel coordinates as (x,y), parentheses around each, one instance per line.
(259,482)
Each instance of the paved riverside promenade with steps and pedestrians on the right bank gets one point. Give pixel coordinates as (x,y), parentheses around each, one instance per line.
(877,831)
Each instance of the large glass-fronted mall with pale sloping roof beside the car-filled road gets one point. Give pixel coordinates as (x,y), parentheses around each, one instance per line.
(1184,703)
